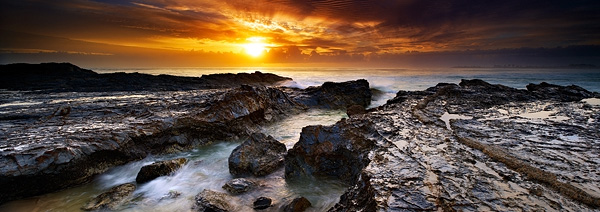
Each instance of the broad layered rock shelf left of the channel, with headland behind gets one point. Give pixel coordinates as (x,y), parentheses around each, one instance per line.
(62,139)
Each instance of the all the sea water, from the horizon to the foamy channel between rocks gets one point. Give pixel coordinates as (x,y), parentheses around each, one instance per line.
(207,166)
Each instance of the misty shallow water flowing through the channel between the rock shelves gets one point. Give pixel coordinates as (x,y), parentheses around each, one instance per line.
(206,169)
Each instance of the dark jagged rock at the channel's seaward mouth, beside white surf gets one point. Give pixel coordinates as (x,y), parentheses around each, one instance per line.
(333,95)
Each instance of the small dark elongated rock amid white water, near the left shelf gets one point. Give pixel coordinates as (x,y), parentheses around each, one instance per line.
(157,169)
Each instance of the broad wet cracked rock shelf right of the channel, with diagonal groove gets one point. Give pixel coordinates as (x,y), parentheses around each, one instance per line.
(509,150)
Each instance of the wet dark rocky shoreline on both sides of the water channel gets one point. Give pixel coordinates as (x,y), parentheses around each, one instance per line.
(472,146)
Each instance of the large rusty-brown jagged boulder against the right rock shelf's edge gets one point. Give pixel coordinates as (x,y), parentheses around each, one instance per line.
(340,151)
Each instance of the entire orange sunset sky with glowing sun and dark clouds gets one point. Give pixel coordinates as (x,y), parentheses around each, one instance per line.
(391,33)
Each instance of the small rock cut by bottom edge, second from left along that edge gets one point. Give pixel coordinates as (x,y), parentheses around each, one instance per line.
(209,200)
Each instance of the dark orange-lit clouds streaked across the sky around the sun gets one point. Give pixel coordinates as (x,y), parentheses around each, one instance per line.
(334,26)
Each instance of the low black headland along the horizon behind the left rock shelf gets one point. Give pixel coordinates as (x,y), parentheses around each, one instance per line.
(61,77)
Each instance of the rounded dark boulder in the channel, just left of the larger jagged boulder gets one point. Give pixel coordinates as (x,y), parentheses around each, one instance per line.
(259,155)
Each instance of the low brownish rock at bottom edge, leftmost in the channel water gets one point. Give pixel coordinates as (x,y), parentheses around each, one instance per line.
(110,199)
